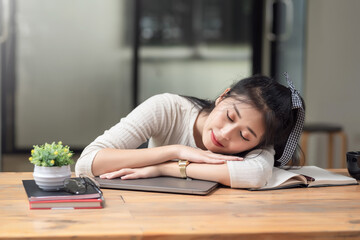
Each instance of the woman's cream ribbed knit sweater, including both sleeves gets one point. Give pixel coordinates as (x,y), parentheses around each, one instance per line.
(168,119)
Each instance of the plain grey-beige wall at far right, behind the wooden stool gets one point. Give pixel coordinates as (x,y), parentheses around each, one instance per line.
(332,87)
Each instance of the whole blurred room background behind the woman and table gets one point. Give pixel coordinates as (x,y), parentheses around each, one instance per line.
(70,69)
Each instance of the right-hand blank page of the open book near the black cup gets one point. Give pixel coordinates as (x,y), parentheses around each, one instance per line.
(323,177)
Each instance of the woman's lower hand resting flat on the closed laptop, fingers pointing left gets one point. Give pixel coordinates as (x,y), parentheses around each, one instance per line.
(133,173)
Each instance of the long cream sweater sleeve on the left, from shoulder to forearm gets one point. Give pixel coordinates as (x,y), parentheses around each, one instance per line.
(136,128)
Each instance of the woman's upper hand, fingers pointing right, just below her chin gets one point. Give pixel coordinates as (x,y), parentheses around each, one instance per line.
(201,156)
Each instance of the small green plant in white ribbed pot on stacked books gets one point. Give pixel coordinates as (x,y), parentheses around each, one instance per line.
(52,165)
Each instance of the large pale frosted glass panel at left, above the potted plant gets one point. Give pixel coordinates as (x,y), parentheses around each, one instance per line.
(73,69)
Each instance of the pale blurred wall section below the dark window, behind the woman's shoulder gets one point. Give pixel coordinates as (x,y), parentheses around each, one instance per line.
(200,78)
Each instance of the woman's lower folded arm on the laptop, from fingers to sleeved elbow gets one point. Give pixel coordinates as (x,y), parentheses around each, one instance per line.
(253,172)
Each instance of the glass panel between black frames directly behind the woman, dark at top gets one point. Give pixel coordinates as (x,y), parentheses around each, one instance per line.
(194,48)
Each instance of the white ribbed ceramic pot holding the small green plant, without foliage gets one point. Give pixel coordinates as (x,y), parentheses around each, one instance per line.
(51,178)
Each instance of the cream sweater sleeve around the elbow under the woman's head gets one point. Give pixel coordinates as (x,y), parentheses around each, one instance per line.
(254,171)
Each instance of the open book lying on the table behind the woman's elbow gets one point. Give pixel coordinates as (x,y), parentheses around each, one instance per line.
(307,176)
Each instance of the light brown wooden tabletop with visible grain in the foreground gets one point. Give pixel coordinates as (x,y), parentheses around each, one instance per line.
(320,213)
